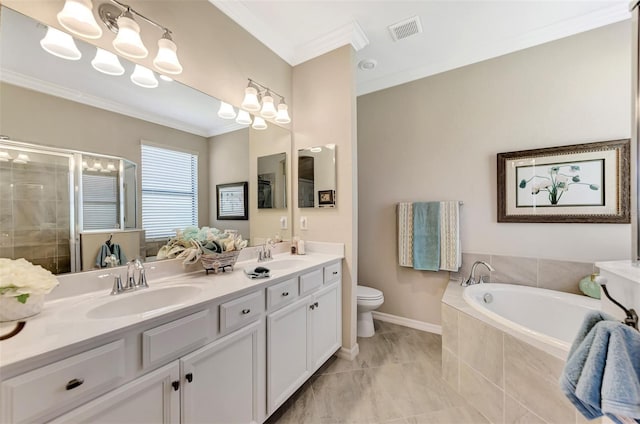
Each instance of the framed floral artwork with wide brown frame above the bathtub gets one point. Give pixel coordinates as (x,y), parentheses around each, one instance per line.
(586,183)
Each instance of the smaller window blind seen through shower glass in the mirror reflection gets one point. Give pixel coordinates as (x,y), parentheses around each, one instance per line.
(100,201)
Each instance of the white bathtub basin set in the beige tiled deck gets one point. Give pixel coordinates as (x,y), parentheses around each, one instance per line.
(544,318)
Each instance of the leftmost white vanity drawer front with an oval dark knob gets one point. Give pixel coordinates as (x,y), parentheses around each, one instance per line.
(54,388)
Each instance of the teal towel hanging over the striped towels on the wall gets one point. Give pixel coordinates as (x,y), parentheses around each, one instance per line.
(426,236)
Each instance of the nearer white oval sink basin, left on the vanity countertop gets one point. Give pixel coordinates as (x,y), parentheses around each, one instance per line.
(144,301)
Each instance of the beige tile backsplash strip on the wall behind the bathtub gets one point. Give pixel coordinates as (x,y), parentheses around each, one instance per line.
(543,273)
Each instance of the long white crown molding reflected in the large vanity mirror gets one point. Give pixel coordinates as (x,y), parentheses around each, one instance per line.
(77,96)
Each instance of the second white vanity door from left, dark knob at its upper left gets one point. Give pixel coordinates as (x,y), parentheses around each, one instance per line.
(221,380)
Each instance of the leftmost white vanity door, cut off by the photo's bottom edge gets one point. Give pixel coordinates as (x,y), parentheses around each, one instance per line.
(152,398)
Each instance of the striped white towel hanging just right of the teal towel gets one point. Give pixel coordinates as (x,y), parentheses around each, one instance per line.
(450,251)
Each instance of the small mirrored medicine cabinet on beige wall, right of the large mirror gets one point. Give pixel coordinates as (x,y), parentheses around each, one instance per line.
(317,177)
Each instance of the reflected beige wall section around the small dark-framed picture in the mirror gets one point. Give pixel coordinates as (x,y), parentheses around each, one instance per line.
(224,170)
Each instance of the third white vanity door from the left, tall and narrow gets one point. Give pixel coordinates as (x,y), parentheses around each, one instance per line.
(287,351)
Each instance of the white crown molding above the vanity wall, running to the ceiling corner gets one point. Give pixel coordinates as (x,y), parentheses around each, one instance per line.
(241,15)
